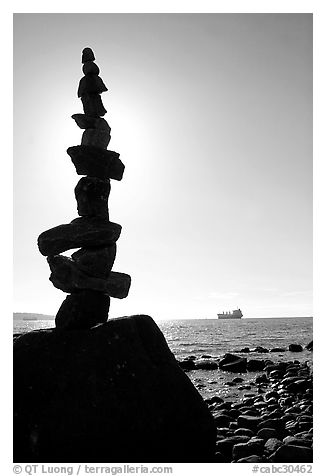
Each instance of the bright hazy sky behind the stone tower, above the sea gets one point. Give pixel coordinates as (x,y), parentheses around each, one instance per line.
(212,116)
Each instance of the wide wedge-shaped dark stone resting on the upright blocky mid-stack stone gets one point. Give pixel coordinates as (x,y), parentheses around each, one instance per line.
(96,162)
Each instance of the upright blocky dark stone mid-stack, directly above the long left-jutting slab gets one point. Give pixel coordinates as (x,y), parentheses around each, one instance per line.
(92,196)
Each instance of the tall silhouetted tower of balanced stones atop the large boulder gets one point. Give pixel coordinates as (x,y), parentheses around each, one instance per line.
(87,275)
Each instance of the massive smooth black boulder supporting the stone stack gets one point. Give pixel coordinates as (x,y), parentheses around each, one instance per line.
(111,393)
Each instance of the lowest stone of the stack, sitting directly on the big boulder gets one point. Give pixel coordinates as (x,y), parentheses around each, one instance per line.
(83,310)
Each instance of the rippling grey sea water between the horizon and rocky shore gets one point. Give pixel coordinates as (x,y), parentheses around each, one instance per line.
(213,337)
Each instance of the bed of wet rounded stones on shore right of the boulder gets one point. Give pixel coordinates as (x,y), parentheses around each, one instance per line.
(273,424)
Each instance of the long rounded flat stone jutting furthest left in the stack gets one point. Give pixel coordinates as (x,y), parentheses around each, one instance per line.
(81,232)
